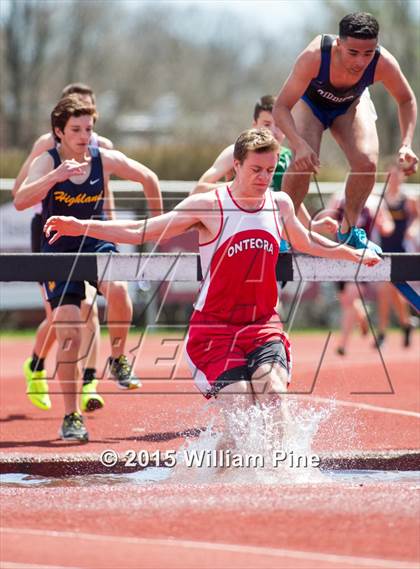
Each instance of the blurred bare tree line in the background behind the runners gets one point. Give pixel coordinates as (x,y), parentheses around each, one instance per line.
(213,65)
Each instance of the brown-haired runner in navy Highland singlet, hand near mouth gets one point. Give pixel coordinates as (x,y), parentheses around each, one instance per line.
(71,181)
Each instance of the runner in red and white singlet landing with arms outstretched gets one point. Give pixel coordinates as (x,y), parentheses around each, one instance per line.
(235,342)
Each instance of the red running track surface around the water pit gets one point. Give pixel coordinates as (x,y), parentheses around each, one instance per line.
(218,524)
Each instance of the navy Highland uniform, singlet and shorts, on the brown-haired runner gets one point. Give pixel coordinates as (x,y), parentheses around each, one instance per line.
(84,201)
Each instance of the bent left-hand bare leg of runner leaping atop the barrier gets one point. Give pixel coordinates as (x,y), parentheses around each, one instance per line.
(296,183)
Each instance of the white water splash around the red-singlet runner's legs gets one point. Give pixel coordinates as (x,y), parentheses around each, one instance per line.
(267,445)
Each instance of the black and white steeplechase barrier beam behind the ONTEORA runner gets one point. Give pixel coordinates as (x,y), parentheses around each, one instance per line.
(185,267)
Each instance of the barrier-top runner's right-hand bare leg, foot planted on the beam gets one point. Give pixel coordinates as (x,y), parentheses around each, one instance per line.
(355,132)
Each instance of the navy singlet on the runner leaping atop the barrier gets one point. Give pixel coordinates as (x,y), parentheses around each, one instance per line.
(328,102)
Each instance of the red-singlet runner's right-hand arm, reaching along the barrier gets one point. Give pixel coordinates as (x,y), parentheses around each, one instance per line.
(313,243)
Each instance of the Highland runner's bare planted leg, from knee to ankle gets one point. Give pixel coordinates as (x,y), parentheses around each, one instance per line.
(68,323)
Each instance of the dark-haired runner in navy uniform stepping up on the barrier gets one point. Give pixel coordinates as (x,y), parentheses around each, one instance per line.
(327,88)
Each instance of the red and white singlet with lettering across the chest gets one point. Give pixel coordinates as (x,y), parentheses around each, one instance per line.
(239,264)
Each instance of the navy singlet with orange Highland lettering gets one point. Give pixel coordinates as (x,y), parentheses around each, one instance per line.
(84,201)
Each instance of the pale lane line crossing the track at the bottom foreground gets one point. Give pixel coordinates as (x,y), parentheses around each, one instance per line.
(200,545)
